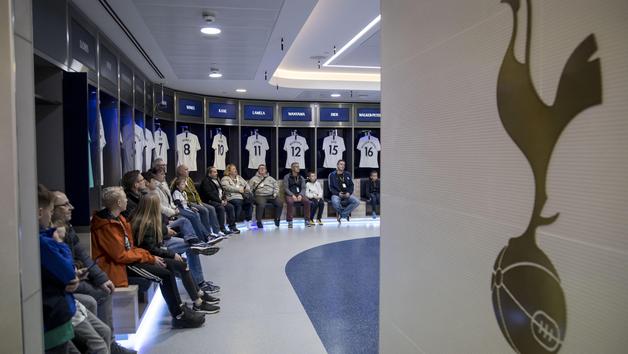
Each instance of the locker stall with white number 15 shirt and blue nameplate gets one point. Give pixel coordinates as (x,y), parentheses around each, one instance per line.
(334,138)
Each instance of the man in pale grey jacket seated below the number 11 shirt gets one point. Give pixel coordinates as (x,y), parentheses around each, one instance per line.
(265,189)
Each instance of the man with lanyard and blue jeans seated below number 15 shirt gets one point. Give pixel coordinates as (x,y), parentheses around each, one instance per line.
(341,188)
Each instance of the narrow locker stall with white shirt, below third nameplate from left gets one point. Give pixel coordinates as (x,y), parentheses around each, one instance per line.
(132,129)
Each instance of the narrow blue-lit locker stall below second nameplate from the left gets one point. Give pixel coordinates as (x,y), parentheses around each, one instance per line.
(109,109)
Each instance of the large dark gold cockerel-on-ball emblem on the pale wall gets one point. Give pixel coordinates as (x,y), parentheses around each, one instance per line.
(528,299)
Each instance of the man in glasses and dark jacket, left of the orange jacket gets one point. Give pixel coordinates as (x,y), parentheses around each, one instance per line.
(97,284)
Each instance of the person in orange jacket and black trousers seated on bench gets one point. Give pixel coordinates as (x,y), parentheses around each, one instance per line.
(115,253)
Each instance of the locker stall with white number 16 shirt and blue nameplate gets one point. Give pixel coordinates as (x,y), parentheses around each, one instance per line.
(367,144)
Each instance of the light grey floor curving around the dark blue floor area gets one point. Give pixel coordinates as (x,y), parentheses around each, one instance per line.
(260,312)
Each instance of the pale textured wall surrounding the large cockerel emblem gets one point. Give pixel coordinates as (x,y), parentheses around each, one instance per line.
(457,188)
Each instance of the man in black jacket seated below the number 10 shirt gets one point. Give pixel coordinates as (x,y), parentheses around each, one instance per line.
(212,194)
